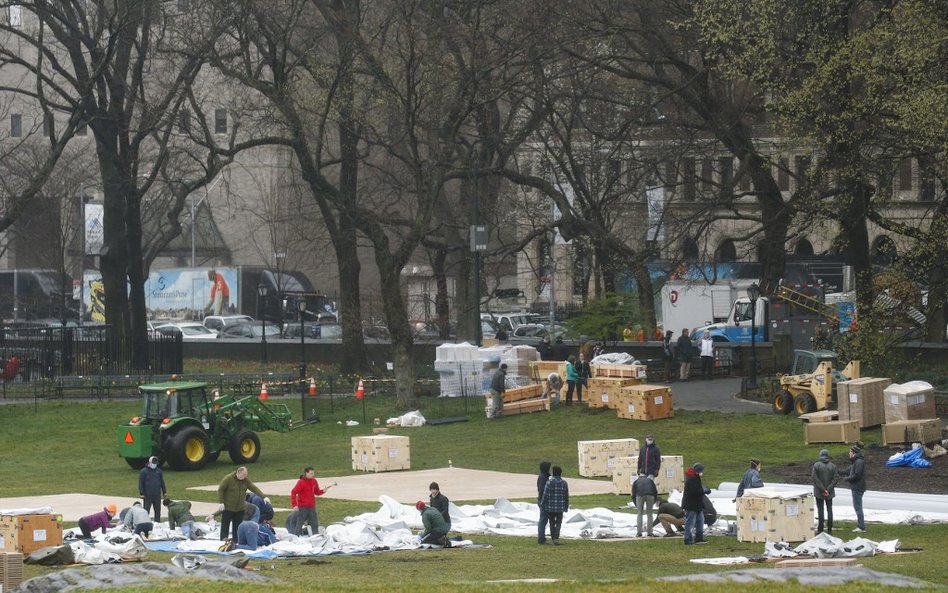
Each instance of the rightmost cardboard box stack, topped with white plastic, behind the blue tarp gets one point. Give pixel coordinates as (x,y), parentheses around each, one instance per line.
(910,414)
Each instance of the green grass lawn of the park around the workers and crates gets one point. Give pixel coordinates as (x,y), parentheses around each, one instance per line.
(69,447)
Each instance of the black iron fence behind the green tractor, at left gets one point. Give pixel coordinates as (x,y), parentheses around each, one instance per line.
(48,353)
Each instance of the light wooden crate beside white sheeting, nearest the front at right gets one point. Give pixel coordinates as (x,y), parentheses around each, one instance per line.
(762,519)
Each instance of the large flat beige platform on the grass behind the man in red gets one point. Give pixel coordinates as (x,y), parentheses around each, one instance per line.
(456,483)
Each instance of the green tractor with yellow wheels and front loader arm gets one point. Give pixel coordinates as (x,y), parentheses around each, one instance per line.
(184,425)
